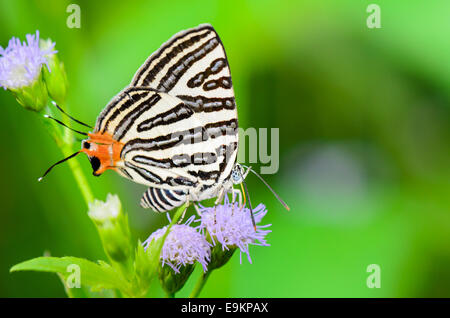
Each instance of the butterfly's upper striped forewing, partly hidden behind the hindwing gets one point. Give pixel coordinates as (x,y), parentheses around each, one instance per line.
(193,67)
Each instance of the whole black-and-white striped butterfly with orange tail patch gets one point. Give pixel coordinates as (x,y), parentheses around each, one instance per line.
(174,129)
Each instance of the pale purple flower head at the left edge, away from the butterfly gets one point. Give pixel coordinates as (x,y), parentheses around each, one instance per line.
(21,63)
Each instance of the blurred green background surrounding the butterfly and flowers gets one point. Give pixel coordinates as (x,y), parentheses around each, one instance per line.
(364,141)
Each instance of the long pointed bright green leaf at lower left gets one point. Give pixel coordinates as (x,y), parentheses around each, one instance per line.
(97,276)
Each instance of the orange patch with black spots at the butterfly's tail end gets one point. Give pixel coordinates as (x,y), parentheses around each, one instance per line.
(103,147)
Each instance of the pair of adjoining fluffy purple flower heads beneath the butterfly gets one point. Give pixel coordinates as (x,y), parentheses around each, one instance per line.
(226,226)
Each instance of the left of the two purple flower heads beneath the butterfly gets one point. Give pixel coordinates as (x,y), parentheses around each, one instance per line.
(183,245)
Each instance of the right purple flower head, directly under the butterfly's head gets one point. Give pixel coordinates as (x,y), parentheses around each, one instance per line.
(232,226)
